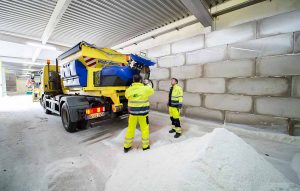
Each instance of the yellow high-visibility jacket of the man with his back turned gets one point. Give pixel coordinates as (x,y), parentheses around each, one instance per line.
(138,98)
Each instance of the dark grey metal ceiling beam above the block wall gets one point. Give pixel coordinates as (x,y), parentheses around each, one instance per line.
(197,8)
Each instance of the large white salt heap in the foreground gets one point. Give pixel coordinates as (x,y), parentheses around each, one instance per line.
(217,161)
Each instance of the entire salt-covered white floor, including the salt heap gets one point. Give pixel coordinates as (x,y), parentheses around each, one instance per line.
(39,154)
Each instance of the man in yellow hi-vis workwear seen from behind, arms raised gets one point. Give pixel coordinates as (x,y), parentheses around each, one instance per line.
(138,106)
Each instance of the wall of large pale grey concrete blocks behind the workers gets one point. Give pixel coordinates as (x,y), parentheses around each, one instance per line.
(247,74)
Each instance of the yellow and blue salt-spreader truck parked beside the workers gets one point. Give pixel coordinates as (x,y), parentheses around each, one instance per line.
(88,84)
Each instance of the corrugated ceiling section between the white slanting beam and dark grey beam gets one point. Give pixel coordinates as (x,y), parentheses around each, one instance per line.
(107,23)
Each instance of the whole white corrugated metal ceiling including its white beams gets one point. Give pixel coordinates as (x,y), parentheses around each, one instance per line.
(64,23)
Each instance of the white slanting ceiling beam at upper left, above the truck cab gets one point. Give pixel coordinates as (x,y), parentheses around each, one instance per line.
(60,8)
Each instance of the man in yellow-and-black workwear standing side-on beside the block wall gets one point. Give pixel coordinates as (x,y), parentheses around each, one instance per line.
(175,104)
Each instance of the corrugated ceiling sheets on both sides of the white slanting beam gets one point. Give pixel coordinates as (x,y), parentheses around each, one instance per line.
(104,23)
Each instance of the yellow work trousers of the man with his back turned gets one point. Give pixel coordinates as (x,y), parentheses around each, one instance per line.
(144,126)
